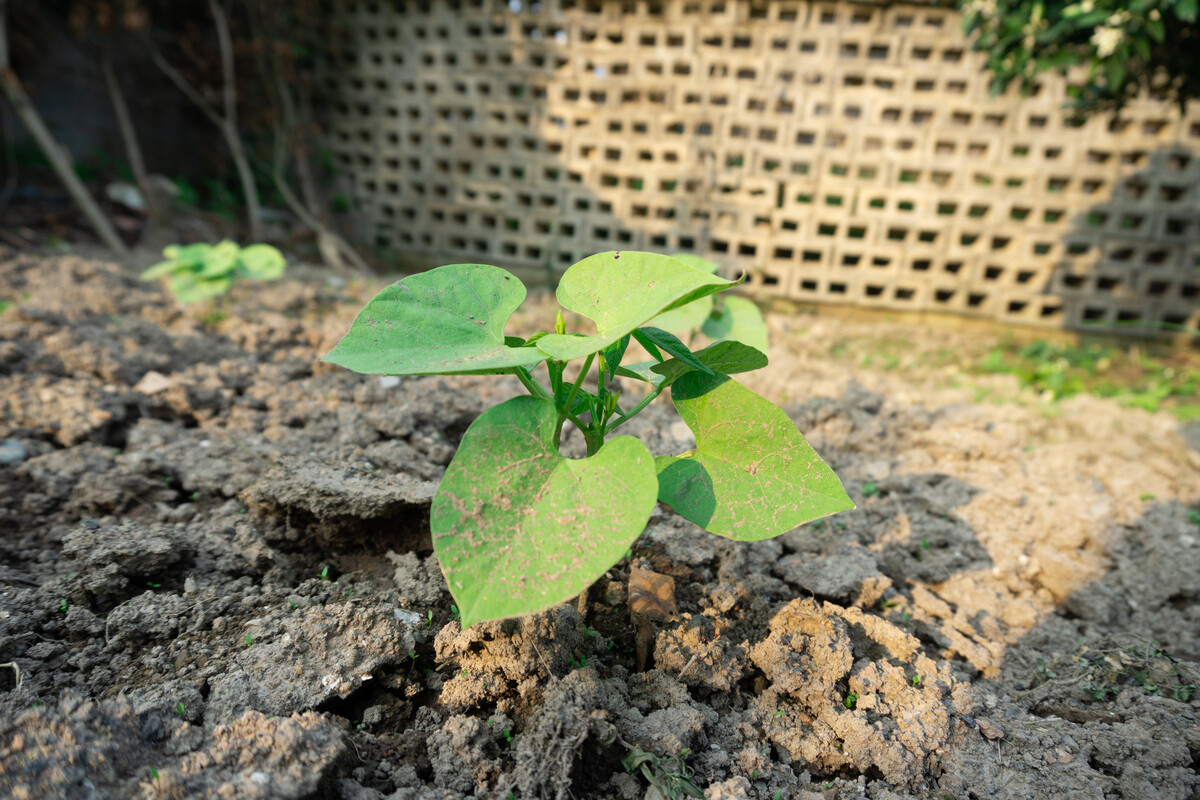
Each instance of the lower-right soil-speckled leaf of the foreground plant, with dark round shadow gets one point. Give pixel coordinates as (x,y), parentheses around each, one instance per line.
(752,476)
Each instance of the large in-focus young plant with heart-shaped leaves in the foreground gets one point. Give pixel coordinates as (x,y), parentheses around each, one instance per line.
(518,527)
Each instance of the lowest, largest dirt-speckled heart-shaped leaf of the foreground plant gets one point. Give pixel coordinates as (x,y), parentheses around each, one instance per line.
(519,528)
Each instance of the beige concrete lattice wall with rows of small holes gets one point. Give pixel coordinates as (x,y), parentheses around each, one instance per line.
(842,153)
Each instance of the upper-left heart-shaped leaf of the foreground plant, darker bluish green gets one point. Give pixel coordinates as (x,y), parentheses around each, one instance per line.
(449,321)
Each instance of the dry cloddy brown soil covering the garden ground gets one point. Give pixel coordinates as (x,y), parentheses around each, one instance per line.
(217,579)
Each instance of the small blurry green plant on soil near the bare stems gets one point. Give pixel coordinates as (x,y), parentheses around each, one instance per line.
(201,272)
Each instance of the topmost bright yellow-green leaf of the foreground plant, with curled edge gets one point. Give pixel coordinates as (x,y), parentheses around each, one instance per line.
(620,292)
